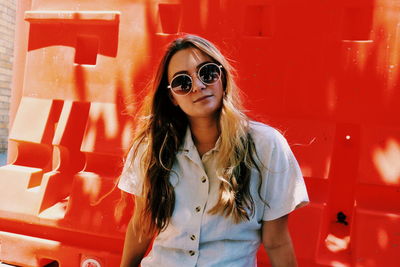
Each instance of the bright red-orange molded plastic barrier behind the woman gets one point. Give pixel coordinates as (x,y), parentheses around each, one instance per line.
(326,73)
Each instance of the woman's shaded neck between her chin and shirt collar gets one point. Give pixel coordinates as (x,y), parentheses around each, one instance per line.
(205,133)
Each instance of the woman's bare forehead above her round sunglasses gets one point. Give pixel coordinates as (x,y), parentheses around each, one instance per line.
(186,60)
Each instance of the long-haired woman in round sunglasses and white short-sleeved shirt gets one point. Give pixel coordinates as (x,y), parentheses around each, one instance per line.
(210,185)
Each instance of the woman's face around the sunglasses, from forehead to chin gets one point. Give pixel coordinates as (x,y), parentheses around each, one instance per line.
(204,100)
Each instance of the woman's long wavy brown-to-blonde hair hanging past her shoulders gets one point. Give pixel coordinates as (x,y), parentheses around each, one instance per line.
(161,127)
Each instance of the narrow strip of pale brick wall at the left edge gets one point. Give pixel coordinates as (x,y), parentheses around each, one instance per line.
(7,28)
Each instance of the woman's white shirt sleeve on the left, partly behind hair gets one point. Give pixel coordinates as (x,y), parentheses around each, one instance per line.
(131,179)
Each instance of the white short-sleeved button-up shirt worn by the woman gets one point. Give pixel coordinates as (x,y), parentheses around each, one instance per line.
(196,238)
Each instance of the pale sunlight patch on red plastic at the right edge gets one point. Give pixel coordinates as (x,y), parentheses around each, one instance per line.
(387,161)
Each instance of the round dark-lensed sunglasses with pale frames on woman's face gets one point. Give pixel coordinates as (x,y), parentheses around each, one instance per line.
(209,73)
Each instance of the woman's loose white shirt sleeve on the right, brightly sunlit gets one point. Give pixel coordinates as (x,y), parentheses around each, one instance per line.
(285,187)
